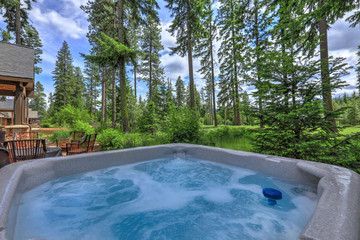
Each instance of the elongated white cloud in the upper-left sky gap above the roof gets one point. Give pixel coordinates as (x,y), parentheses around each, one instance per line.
(52,20)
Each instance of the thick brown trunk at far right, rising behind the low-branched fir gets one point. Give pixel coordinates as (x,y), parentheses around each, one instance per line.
(325,80)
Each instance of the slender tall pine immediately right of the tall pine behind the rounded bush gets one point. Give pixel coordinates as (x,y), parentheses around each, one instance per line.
(205,49)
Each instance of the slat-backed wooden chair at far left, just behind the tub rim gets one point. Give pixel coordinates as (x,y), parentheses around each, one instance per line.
(21,150)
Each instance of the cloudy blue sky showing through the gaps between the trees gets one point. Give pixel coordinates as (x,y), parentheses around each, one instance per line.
(63,20)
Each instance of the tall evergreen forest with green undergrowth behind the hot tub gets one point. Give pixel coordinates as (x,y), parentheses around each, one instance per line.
(278,47)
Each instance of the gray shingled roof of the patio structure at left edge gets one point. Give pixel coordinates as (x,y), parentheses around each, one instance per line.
(16,61)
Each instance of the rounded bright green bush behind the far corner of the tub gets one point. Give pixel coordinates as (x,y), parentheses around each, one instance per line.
(182,126)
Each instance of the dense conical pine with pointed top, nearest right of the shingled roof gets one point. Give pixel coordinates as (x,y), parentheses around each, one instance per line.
(63,77)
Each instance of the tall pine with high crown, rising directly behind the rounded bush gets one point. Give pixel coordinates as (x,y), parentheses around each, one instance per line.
(184,25)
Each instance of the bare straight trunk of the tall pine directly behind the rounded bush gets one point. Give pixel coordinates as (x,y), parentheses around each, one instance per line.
(191,70)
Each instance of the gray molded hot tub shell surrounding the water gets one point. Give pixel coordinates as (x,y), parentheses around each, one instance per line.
(337,215)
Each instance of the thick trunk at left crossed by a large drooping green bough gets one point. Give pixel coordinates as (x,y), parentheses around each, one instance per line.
(123,98)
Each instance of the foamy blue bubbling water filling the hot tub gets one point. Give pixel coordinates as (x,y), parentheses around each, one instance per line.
(164,199)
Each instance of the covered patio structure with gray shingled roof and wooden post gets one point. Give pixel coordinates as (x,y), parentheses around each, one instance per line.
(17,78)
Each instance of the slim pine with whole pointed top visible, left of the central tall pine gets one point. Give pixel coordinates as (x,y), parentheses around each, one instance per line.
(150,70)
